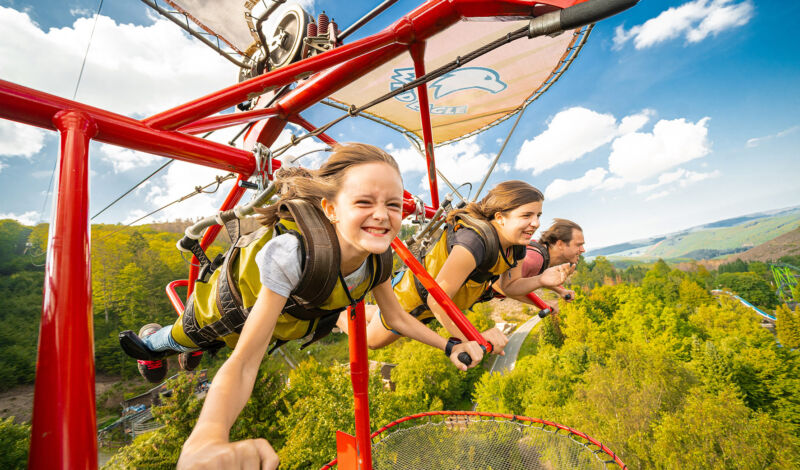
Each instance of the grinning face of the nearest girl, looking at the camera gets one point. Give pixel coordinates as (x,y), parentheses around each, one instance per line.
(368,208)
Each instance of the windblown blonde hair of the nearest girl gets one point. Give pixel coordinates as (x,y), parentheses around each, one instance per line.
(313,185)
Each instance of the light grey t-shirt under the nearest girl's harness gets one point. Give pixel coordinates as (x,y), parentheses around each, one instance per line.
(279,264)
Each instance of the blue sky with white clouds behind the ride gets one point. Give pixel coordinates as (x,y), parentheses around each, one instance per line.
(676,113)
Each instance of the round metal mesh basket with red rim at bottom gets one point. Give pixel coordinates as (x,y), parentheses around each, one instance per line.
(463,440)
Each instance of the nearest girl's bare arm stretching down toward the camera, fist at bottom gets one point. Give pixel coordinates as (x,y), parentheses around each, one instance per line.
(208,445)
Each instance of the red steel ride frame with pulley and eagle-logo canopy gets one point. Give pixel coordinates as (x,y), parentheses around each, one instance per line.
(418,98)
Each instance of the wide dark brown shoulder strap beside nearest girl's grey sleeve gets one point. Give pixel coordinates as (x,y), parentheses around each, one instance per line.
(322,255)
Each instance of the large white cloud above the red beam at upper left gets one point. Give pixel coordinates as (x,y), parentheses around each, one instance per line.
(130,69)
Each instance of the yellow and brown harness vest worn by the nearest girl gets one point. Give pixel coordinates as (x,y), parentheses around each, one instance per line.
(218,309)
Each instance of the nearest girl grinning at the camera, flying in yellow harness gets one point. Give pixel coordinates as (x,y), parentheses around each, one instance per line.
(357,197)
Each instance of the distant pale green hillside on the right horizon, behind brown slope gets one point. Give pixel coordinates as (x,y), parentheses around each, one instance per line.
(712,240)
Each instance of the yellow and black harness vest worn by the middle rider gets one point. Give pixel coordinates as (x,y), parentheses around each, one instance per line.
(413,296)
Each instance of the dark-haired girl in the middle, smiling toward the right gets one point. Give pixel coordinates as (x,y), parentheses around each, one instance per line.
(481,245)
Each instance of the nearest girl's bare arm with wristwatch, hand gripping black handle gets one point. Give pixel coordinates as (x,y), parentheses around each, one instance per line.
(409,326)
